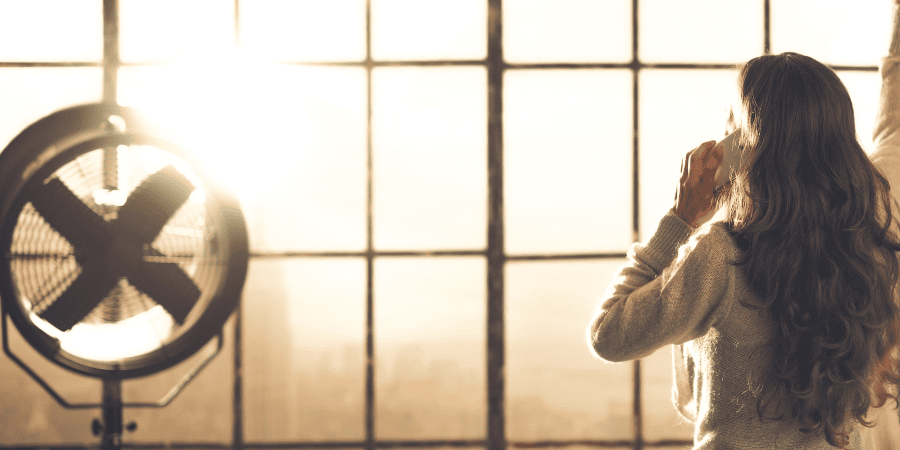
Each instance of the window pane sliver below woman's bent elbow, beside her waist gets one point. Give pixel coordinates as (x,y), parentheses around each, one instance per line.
(661,418)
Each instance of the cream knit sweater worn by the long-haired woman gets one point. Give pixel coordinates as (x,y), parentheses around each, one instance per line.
(680,289)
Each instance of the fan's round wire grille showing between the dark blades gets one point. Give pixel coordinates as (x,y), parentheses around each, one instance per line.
(44,264)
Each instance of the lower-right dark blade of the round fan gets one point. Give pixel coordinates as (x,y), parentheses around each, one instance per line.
(167,285)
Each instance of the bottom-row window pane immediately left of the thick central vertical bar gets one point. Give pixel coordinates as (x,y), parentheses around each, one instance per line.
(430,348)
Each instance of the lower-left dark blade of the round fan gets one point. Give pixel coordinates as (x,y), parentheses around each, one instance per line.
(82,296)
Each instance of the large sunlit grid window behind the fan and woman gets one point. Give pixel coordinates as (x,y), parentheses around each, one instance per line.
(437,192)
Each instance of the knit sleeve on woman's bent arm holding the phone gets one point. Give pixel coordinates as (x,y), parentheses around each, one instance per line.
(670,291)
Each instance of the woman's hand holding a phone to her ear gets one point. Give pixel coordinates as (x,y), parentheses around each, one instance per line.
(694,197)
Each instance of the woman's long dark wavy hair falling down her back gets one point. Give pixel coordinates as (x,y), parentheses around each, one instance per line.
(813,216)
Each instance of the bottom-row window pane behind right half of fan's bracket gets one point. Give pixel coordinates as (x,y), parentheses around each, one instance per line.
(207,400)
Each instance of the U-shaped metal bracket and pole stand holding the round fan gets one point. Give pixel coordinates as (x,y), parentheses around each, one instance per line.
(110,427)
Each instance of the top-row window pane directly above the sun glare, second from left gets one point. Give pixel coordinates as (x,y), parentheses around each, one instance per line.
(166,30)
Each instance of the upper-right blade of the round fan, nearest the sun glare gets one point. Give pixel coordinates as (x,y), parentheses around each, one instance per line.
(153,203)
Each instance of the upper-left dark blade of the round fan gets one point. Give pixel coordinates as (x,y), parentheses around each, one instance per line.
(70,217)
